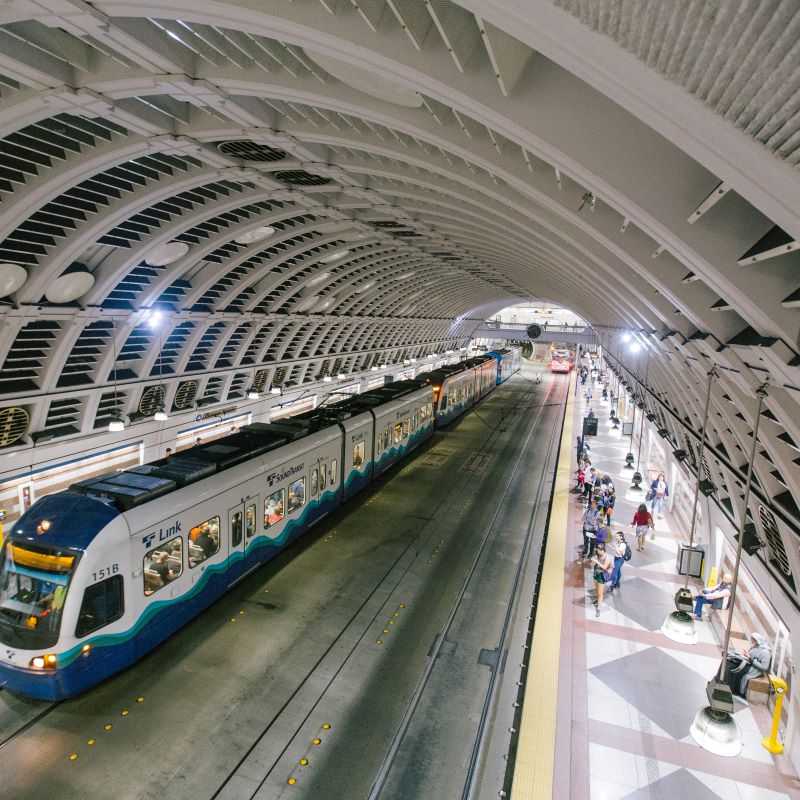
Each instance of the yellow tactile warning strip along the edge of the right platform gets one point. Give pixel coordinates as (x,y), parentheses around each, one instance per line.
(533,769)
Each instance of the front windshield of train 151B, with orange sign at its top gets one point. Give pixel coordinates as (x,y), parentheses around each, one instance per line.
(33,587)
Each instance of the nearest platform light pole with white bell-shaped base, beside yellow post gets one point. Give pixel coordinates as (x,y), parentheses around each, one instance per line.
(713,727)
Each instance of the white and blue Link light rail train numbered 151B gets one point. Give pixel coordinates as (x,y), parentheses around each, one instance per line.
(94,577)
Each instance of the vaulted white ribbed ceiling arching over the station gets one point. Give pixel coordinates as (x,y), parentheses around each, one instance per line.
(423,163)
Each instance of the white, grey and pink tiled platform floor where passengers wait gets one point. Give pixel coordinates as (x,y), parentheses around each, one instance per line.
(627,694)
